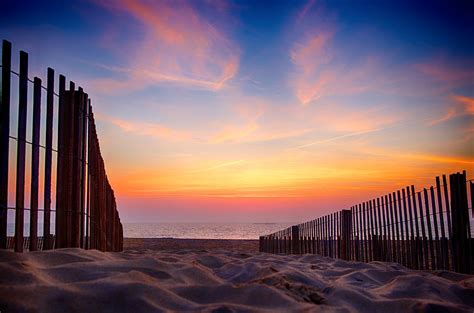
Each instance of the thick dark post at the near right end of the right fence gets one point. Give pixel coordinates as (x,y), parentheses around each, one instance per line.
(460,219)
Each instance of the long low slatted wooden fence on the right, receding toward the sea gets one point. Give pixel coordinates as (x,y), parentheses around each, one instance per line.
(428,229)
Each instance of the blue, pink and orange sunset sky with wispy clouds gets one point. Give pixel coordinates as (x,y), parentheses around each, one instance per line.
(261,111)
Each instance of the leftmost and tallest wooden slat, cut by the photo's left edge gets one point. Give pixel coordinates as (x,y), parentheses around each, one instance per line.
(4,139)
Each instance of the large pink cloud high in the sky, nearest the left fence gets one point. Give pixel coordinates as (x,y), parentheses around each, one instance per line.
(176,45)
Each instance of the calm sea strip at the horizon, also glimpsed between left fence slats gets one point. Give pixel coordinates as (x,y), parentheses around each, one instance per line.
(184,230)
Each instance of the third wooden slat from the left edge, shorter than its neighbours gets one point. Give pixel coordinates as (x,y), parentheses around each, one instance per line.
(35,165)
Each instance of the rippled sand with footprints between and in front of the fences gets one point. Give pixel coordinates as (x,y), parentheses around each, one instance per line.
(211,278)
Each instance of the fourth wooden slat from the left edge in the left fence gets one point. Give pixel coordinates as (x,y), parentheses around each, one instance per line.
(47,244)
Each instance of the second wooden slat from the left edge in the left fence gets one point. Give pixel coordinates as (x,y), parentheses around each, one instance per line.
(20,169)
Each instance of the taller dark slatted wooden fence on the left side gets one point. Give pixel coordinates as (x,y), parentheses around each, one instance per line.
(85,213)
